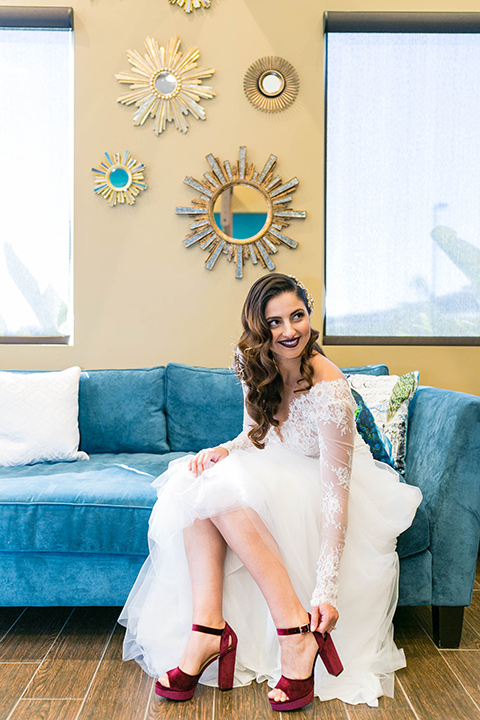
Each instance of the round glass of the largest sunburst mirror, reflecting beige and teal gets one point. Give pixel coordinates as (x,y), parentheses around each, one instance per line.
(240,211)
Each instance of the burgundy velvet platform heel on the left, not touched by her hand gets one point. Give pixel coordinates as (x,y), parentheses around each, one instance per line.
(182,685)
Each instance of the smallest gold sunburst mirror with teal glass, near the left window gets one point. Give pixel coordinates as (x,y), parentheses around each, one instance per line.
(119,179)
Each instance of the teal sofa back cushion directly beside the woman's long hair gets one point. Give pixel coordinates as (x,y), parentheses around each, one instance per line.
(204,406)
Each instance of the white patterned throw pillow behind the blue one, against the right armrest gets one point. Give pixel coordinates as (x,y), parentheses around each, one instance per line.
(388,398)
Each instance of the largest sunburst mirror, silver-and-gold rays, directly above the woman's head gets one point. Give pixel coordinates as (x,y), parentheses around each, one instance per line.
(241,212)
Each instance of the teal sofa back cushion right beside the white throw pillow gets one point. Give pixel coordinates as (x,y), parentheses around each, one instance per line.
(123,411)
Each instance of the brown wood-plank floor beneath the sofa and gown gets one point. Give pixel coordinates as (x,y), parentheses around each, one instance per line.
(65,664)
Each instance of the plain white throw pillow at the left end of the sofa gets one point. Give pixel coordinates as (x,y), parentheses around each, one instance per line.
(39,417)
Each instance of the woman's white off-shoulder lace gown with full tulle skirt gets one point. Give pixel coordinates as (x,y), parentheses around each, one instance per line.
(334,513)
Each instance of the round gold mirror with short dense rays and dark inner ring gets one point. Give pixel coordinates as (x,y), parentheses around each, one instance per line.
(271,84)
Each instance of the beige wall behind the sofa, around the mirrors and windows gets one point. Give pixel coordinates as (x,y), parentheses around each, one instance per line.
(141,298)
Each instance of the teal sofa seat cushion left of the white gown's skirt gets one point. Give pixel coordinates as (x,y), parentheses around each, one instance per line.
(101,506)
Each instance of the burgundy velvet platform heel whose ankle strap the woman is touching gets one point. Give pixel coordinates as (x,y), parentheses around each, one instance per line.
(300,692)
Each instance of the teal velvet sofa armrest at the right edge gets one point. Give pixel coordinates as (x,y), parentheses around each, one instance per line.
(443,460)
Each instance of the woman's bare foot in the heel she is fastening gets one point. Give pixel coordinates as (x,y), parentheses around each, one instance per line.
(298,655)
